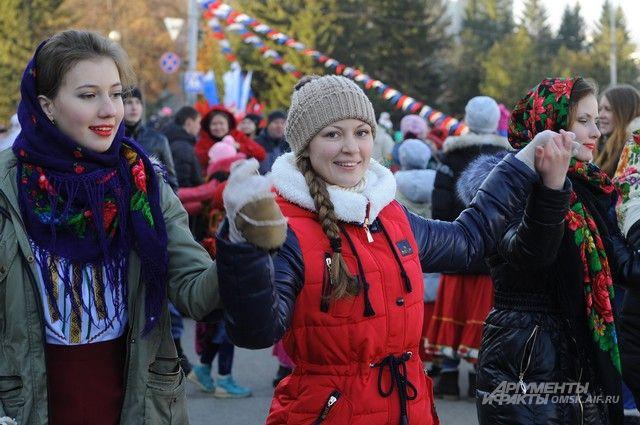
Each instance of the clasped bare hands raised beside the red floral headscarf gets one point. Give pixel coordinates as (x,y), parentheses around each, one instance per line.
(552,158)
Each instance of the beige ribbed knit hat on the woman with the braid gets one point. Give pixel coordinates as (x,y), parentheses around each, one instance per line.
(317,102)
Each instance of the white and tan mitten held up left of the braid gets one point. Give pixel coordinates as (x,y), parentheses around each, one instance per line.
(250,205)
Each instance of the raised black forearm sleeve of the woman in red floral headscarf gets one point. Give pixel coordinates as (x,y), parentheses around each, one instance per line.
(533,237)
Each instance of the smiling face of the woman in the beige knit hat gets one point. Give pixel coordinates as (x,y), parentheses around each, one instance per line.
(340,152)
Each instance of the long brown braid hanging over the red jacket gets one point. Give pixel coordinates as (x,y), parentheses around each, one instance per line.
(344,282)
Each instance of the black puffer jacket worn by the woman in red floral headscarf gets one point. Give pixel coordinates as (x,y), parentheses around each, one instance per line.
(538,331)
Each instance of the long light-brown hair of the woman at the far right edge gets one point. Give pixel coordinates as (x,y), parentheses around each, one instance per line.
(625,105)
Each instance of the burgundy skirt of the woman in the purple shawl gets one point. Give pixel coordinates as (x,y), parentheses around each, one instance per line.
(86,383)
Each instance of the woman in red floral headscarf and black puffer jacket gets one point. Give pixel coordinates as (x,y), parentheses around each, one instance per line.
(553,321)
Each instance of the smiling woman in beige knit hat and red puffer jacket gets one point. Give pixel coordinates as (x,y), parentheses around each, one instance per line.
(345,287)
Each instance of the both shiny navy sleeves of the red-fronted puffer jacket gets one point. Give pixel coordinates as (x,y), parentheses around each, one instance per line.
(259,290)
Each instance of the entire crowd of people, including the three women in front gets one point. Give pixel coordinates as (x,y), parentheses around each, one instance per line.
(373,260)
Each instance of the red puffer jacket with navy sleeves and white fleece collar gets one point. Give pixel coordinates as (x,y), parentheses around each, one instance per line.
(357,358)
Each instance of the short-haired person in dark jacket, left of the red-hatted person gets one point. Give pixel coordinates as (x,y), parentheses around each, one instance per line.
(182,139)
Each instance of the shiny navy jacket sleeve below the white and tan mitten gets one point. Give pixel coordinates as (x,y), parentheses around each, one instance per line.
(258,289)
